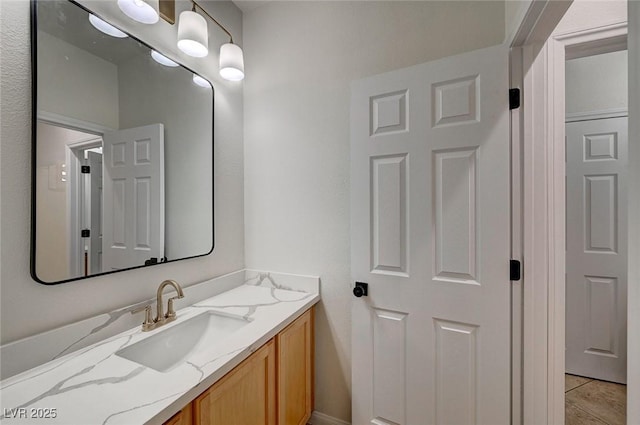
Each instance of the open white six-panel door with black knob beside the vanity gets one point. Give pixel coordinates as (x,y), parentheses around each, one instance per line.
(430,234)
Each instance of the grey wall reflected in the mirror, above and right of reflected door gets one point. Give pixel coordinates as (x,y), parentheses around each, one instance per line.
(152,93)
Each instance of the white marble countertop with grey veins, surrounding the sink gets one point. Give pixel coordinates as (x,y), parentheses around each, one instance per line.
(95,386)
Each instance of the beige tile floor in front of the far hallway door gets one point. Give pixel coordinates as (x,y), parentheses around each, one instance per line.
(592,402)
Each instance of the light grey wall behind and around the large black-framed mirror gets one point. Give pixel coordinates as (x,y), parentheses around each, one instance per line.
(28,307)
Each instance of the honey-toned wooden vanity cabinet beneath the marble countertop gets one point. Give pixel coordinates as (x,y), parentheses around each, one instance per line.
(273,386)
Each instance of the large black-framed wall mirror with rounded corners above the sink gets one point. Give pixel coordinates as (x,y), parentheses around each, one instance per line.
(122,150)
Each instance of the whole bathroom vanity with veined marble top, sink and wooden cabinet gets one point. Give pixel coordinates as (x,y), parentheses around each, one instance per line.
(243,356)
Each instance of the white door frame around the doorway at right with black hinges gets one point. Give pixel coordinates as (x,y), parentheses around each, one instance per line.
(538,209)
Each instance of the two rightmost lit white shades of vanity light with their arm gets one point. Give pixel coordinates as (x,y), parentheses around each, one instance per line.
(193,40)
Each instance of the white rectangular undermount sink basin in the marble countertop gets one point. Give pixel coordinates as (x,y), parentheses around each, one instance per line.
(172,346)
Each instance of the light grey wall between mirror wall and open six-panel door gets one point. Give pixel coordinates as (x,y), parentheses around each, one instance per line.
(301,58)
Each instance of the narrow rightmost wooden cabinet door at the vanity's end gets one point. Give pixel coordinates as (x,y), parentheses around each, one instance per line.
(295,371)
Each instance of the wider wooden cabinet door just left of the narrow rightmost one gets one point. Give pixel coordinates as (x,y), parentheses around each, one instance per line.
(244,396)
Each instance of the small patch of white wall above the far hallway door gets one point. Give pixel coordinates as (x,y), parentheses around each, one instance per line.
(597,83)
